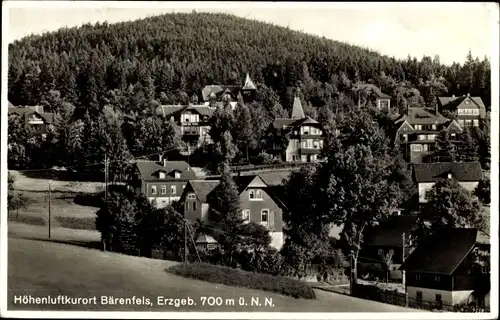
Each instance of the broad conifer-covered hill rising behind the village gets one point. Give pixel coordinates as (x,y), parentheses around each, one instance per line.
(168,58)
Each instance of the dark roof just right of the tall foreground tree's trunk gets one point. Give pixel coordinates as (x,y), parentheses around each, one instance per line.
(389,233)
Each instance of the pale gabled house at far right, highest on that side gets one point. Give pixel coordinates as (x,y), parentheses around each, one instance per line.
(469,110)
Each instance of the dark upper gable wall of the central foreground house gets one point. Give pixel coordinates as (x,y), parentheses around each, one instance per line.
(256,206)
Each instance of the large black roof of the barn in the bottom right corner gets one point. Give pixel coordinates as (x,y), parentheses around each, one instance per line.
(442,252)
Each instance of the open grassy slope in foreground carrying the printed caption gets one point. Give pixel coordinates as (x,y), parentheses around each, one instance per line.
(42,267)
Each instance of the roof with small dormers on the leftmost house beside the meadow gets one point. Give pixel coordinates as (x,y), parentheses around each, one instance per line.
(149,170)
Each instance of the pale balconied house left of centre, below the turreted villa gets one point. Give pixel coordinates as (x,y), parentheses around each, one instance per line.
(193,122)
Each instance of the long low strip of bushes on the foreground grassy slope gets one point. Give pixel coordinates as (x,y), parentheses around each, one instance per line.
(245,279)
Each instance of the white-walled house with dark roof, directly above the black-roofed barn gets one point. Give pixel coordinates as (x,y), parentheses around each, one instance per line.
(468,175)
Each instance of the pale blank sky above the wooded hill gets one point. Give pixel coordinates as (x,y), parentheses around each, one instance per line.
(395,29)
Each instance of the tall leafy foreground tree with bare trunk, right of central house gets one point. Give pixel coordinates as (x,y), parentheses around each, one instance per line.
(356,193)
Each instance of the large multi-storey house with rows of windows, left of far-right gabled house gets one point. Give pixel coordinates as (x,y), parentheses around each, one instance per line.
(417,131)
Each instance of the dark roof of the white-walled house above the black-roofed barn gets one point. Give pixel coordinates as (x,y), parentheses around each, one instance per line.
(461,171)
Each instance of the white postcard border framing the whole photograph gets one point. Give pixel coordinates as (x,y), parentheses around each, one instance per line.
(261,315)
